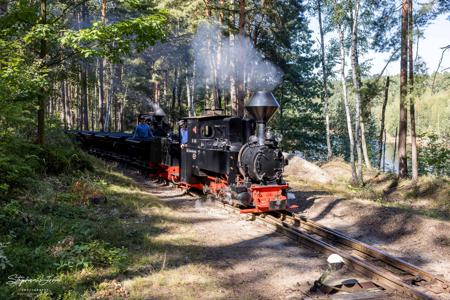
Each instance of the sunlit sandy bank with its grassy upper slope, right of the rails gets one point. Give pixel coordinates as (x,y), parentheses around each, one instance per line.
(409,220)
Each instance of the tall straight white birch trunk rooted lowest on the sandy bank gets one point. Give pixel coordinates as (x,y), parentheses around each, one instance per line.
(357,86)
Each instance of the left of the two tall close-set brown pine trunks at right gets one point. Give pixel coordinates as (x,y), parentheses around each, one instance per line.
(403,125)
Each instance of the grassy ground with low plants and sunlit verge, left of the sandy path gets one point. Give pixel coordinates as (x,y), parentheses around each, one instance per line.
(96,234)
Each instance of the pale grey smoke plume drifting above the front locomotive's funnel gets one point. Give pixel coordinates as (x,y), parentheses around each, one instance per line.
(220,59)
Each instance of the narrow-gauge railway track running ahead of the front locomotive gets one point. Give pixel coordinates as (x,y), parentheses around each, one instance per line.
(384,270)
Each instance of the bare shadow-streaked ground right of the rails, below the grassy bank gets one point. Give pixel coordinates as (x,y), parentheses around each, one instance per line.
(422,241)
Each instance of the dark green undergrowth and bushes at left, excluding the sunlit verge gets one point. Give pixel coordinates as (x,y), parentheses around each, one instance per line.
(67,221)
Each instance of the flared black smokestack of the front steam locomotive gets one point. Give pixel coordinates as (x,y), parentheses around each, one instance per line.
(262,106)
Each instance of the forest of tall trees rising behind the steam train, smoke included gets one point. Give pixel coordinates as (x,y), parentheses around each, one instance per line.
(95,66)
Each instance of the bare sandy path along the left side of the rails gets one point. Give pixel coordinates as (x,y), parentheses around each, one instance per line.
(249,260)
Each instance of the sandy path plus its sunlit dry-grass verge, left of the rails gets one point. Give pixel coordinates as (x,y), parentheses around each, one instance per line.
(225,256)
